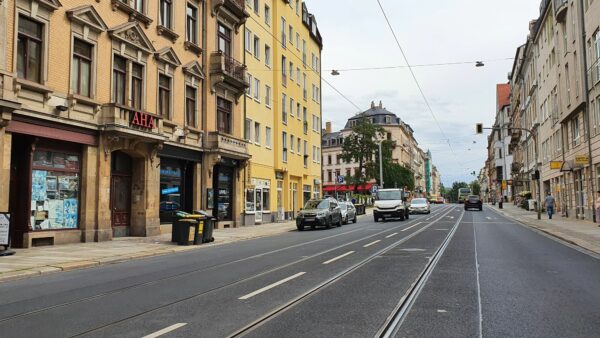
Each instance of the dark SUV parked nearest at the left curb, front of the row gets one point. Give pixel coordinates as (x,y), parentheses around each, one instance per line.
(319,212)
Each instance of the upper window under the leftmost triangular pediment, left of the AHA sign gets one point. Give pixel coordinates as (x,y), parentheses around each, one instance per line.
(81,68)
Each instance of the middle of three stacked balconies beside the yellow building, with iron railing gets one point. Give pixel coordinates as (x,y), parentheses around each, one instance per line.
(228,72)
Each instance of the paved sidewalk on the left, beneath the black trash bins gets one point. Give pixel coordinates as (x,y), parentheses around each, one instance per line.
(48,259)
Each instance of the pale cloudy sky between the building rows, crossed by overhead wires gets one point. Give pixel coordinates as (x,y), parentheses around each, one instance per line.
(355,35)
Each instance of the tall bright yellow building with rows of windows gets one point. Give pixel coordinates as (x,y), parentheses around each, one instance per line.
(282,51)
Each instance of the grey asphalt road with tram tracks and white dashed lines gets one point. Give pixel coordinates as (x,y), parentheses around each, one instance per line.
(450,273)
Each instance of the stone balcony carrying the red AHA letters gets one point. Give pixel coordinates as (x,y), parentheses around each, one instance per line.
(126,120)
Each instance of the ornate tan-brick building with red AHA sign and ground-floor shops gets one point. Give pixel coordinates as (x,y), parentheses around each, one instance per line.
(114,113)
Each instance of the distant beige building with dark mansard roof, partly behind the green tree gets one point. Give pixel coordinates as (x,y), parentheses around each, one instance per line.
(406,151)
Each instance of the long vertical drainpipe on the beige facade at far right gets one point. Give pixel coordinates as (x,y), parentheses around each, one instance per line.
(586,110)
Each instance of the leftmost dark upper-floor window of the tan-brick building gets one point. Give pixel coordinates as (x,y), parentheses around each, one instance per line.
(29,50)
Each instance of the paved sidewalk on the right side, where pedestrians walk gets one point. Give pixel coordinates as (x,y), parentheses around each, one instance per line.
(585,234)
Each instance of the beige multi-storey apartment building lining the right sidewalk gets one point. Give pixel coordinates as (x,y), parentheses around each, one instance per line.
(554,94)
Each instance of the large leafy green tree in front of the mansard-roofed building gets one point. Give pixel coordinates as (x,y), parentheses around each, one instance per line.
(360,147)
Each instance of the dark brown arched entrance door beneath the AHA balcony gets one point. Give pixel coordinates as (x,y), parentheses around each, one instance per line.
(120,193)
